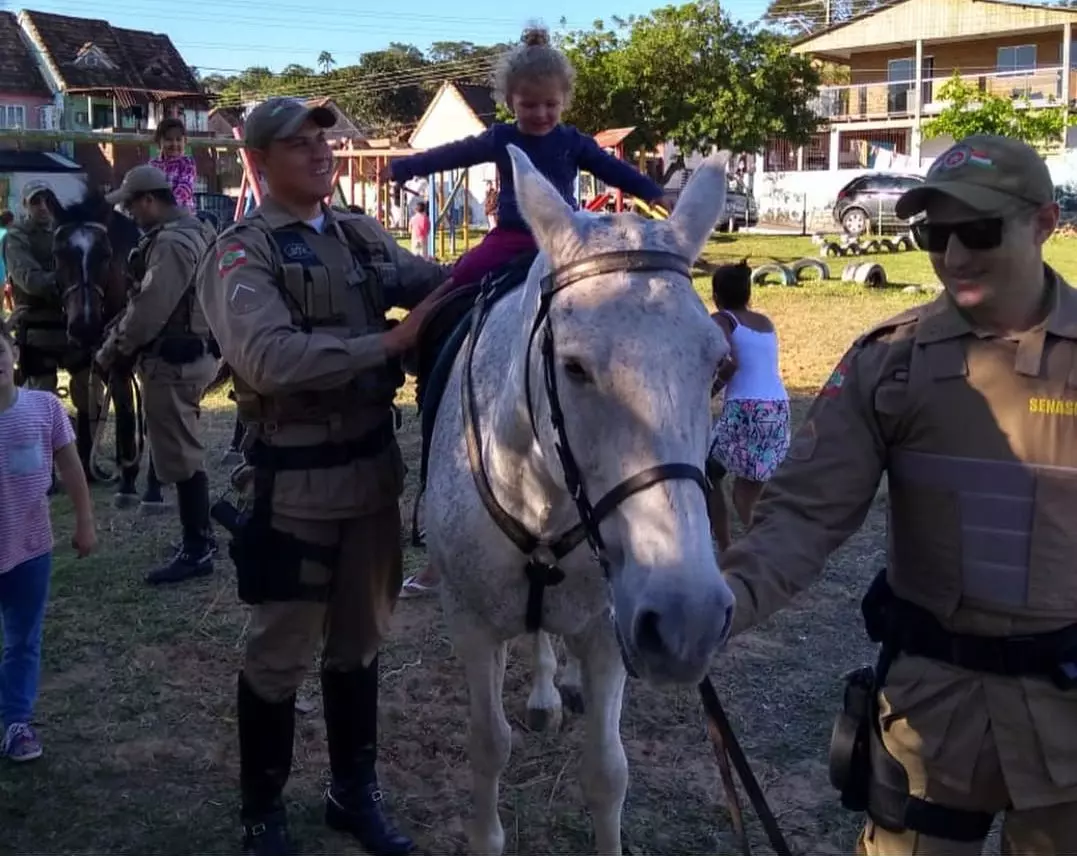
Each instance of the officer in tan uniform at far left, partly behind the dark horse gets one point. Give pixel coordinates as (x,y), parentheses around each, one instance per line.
(39,320)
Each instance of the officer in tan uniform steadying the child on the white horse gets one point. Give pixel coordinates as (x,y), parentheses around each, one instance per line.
(297,296)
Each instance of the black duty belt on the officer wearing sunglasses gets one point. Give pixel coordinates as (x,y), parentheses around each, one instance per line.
(902,627)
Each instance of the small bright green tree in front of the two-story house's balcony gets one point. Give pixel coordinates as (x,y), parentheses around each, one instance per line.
(971,111)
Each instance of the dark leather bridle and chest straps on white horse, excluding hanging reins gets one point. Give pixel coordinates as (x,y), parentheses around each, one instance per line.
(543,555)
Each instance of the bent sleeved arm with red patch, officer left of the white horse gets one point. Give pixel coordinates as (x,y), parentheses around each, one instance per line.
(253,325)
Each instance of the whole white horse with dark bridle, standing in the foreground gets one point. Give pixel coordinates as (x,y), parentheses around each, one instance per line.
(591,381)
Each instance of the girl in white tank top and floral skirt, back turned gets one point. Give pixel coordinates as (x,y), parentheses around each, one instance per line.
(751,436)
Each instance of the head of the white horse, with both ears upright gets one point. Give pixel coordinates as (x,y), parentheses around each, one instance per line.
(627,357)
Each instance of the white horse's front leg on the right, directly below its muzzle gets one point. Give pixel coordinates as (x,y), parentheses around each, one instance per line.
(604,766)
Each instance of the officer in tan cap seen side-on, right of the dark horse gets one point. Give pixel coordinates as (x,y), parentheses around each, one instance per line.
(165,330)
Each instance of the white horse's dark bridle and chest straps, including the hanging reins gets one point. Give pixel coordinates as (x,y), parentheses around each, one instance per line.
(543,556)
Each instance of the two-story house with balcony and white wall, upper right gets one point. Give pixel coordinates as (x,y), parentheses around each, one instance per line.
(897,60)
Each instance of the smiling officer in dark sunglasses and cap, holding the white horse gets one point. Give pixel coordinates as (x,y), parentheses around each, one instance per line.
(969,404)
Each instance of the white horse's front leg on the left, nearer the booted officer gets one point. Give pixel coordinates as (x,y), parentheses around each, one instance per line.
(491,736)
